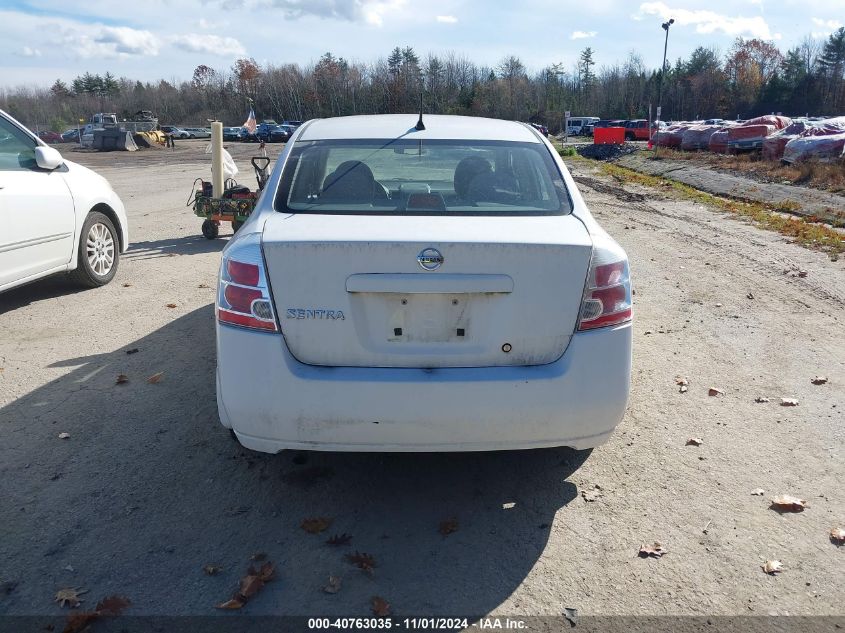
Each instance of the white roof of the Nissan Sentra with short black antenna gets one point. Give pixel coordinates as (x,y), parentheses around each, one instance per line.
(437,126)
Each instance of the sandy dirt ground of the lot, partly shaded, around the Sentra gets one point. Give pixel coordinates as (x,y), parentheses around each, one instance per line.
(149,487)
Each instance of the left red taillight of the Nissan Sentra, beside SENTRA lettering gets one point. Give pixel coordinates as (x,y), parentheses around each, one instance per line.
(243,296)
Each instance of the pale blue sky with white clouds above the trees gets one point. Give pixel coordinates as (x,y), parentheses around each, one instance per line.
(42,40)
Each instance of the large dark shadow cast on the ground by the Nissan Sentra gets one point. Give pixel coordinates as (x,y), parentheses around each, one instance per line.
(149,488)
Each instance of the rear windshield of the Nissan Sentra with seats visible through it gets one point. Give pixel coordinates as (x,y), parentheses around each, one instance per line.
(414,177)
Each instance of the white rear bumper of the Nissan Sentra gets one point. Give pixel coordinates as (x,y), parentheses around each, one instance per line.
(273,402)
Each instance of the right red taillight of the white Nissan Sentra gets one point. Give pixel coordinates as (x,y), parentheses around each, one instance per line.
(607,295)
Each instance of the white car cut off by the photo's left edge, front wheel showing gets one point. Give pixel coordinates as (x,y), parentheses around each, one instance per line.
(57,216)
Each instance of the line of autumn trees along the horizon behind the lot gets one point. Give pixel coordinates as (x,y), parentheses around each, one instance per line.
(754,77)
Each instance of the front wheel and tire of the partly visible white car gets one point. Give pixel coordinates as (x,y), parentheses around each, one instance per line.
(99,252)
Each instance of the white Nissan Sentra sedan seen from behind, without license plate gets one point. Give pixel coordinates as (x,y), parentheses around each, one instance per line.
(436,289)
